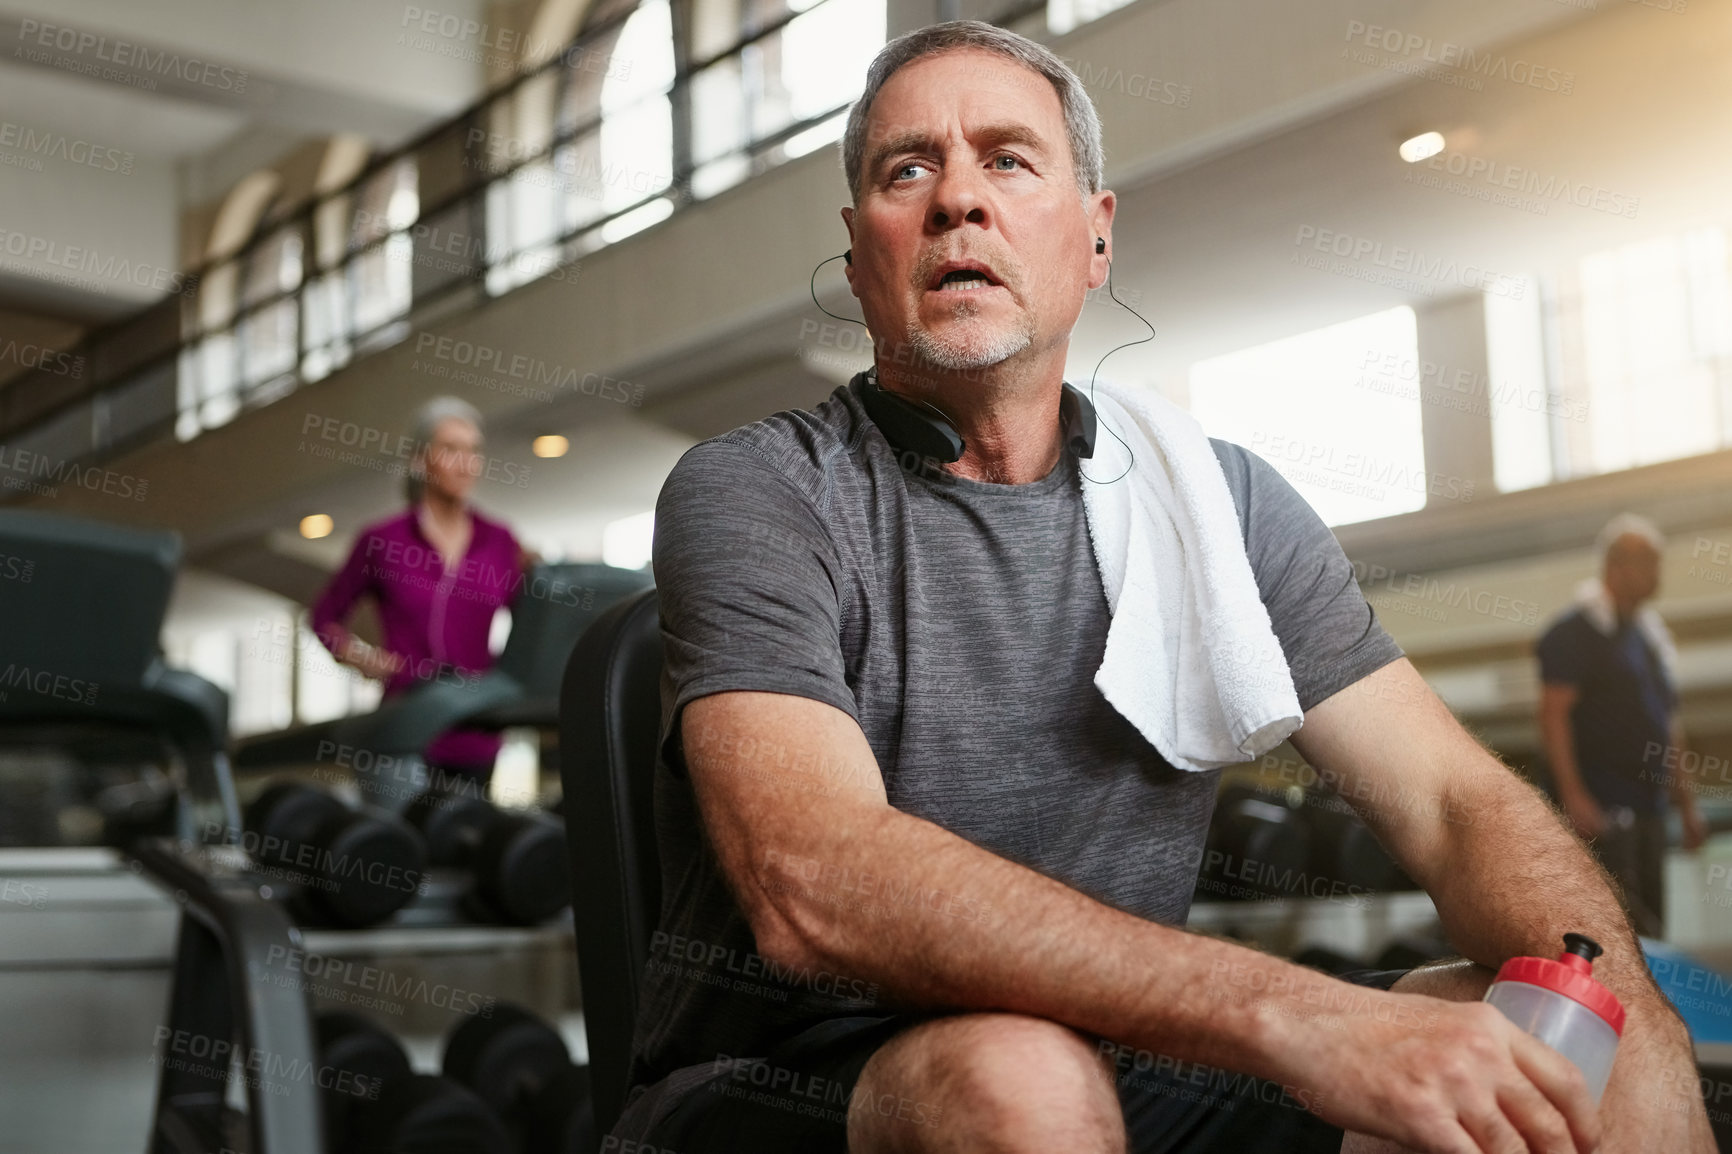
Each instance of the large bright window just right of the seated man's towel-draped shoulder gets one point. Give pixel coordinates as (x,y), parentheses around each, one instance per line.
(1319,410)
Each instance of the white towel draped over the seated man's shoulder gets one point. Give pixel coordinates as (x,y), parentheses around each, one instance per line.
(1192,659)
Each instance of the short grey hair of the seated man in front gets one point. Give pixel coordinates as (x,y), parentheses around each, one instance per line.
(1082,120)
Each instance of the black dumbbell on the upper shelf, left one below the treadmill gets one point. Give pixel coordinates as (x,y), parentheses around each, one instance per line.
(347,867)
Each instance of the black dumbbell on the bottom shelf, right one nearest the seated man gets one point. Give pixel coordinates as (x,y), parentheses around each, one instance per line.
(520,1066)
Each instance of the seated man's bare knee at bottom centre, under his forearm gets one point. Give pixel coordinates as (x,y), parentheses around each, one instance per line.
(1012,1080)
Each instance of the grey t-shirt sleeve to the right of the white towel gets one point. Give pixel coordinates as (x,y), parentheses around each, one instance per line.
(1329,633)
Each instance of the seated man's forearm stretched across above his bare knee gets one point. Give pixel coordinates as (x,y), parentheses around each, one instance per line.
(941,923)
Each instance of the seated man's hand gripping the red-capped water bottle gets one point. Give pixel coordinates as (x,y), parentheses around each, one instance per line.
(1449,1079)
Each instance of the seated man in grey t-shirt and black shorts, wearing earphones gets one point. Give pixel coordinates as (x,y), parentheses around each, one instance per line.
(924,886)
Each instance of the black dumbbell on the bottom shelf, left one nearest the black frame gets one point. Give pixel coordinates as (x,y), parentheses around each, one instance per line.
(377,1105)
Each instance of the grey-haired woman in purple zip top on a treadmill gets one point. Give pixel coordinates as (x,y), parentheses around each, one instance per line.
(439,573)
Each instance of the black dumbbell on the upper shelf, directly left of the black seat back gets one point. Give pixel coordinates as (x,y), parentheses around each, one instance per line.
(519,860)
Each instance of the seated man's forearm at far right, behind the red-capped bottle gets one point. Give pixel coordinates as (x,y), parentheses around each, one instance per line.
(1518,883)
